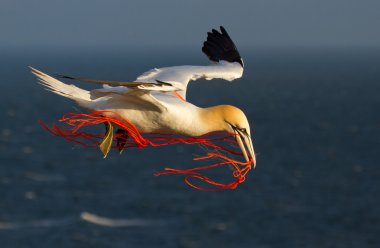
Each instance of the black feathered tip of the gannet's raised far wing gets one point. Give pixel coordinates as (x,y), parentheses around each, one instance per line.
(219,46)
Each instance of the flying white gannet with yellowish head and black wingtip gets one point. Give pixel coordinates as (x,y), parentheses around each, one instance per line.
(156,101)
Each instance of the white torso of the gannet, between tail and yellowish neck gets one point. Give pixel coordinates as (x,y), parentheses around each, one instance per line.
(175,116)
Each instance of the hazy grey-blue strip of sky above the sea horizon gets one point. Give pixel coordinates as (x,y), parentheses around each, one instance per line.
(175,23)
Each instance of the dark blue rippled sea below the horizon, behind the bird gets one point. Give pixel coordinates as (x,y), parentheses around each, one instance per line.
(315,118)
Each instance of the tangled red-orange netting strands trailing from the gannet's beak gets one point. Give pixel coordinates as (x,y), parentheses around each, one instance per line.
(73,123)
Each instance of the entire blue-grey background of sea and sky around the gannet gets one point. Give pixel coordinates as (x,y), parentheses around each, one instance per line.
(310,91)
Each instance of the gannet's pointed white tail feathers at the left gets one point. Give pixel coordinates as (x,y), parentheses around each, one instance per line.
(82,97)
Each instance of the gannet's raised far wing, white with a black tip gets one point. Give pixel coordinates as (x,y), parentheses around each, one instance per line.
(220,49)
